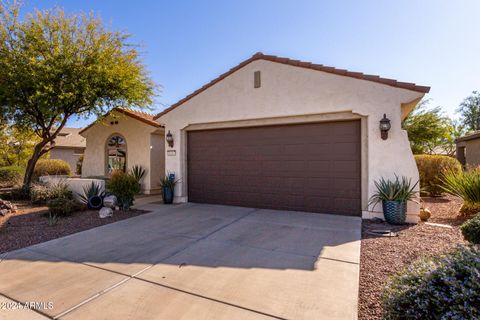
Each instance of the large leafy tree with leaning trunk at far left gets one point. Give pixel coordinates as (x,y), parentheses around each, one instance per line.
(55,66)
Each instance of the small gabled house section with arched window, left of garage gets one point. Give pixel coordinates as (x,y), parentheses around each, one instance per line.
(124,138)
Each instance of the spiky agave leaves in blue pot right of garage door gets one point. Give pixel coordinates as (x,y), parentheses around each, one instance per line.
(400,189)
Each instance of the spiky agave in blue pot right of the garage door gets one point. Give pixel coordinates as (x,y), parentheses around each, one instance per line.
(394,195)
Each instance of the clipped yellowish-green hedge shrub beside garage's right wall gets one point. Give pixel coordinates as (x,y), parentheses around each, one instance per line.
(430,168)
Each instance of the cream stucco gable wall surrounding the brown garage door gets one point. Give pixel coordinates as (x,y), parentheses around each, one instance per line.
(288,93)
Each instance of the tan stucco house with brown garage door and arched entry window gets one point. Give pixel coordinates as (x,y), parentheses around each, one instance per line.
(277,133)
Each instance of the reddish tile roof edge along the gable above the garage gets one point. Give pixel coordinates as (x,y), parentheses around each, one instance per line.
(301,64)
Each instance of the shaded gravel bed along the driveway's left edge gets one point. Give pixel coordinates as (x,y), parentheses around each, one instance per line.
(29,225)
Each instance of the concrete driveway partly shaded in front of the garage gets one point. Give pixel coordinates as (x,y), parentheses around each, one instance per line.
(192,261)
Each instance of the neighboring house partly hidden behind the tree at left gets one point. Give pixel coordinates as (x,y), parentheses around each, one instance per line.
(69,146)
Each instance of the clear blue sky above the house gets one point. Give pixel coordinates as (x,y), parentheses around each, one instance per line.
(188,43)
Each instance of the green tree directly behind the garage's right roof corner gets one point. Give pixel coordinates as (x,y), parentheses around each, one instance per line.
(427,128)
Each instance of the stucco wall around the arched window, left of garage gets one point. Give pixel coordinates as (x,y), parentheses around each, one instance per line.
(137,135)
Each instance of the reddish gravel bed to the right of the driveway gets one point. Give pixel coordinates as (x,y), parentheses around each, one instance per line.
(382,257)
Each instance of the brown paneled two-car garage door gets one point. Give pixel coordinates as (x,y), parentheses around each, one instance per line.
(305,167)
